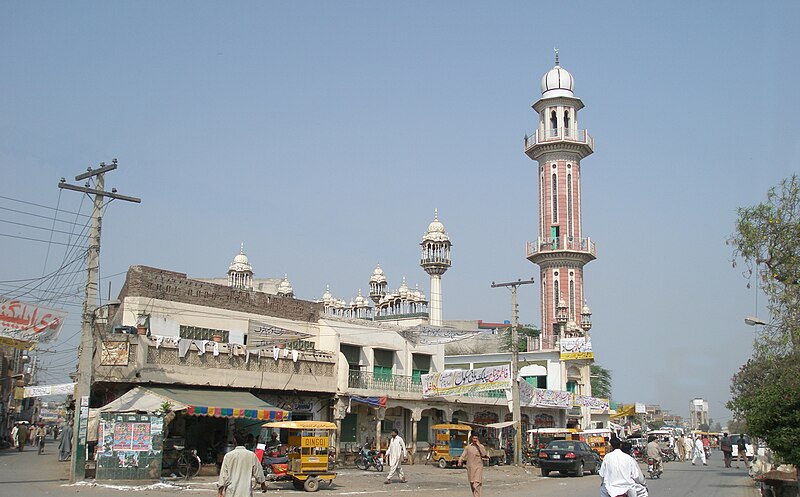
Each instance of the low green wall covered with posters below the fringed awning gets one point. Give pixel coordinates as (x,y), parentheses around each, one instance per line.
(129,446)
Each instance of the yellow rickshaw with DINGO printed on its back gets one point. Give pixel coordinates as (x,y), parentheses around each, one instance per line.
(310,453)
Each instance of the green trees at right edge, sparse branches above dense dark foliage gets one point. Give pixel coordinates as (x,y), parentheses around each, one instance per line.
(766,390)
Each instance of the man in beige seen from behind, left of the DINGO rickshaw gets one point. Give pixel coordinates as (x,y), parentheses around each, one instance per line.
(239,467)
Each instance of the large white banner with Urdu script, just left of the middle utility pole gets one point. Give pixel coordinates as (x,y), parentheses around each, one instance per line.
(464,381)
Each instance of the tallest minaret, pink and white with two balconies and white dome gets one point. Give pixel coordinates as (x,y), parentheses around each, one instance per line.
(561,250)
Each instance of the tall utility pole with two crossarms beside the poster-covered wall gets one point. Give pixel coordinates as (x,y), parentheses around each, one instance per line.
(86,348)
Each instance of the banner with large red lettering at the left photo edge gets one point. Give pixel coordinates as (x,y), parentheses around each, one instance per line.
(29,322)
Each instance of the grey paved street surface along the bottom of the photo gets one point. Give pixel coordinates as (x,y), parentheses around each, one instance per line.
(28,474)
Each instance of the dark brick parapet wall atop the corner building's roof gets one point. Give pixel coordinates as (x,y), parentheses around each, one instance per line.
(143,281)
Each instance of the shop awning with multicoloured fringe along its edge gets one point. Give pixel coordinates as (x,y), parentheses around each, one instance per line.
(221,403)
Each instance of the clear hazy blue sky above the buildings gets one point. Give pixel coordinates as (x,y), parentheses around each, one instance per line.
(323,135)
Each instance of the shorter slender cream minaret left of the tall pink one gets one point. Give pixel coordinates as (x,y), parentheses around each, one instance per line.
(435,261)
